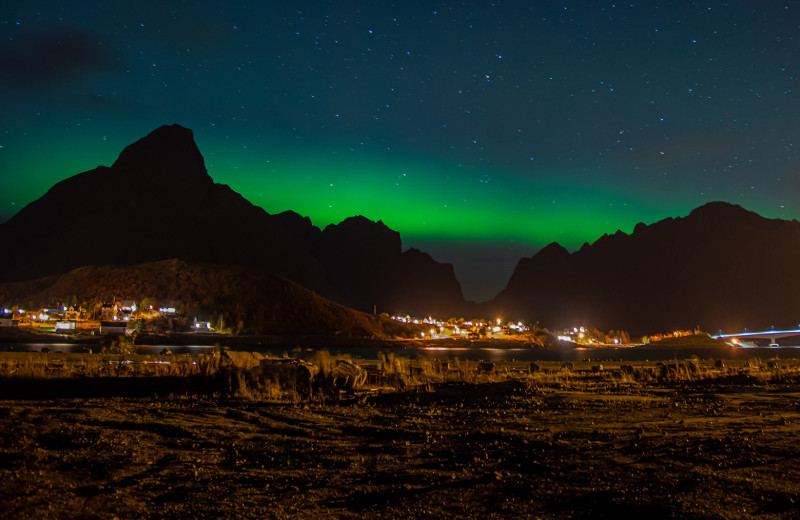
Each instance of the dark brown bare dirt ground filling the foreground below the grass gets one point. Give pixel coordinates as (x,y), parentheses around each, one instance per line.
(554,444)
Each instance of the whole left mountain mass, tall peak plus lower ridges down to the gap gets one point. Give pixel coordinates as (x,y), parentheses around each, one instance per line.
(157,201)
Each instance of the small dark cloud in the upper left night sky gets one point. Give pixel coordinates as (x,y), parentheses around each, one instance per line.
(51,57)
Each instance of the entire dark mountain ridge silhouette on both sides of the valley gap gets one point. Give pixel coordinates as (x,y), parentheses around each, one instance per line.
(720,267)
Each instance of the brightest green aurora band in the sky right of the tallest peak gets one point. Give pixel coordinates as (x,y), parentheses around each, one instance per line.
(427,201)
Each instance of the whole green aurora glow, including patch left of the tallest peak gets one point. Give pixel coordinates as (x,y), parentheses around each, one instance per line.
(423,199)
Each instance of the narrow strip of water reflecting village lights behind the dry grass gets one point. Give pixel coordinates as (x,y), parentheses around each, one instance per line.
(562,352)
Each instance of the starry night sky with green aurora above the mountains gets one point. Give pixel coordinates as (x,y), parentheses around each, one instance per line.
(481,131)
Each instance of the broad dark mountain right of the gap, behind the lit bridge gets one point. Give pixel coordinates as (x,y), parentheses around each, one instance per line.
(720,268)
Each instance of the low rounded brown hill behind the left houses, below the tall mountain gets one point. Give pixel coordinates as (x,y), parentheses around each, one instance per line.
(246,299)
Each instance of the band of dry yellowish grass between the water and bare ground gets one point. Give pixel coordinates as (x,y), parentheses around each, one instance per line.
(241,375)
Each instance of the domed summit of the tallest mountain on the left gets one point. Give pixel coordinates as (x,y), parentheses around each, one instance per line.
(167,154)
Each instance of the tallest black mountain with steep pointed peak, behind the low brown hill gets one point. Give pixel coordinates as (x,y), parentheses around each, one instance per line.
(155,202)
